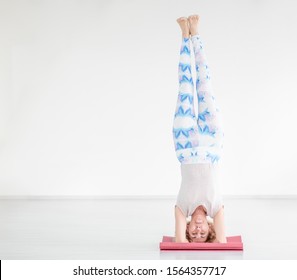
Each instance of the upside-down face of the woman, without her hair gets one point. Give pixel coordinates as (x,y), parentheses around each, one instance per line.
(198,228)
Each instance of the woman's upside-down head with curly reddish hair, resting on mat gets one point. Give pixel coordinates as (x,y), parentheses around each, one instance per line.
(199,229)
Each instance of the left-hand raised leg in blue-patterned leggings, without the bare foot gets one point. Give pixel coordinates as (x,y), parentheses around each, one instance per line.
(185,130)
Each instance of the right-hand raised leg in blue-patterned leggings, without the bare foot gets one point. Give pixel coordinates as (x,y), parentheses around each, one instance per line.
(209,122)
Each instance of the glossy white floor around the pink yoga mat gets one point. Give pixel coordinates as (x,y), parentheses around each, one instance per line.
(132,229)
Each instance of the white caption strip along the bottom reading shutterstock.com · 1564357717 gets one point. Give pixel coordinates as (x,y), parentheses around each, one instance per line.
(49,269)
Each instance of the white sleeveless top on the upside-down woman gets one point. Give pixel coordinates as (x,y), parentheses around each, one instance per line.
(199,186)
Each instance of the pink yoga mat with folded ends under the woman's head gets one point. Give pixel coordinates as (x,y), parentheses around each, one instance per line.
(233,243)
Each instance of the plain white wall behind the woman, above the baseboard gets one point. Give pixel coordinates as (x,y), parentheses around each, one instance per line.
(88,92)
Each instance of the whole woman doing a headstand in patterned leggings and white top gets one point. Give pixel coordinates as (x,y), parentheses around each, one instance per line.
(198,144)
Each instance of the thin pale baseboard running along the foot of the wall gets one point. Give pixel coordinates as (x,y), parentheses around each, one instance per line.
(139,197)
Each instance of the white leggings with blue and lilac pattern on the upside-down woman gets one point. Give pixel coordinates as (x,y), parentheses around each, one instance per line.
(196,140)
